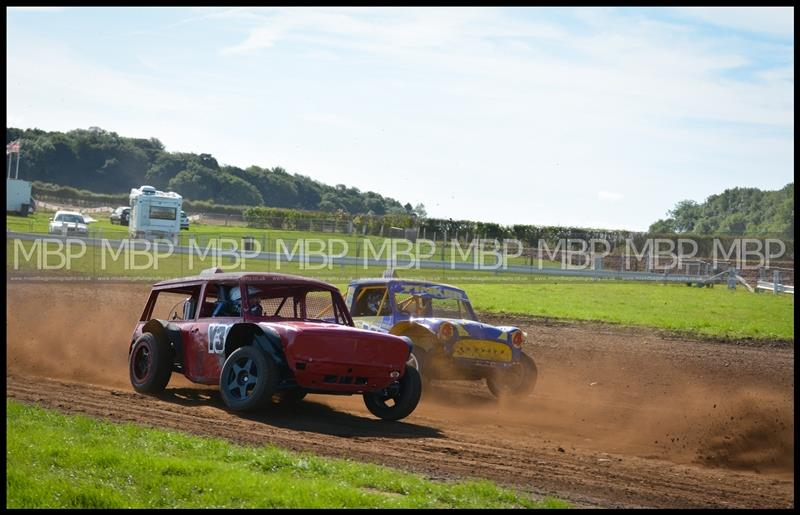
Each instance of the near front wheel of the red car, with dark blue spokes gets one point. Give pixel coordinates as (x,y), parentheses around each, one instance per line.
(248,379)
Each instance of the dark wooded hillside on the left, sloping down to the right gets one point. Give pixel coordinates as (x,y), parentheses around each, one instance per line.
(104,162)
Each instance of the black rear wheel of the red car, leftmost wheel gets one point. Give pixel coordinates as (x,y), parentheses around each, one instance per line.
(150,364)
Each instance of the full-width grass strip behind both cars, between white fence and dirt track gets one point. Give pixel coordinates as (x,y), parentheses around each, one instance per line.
(711,312)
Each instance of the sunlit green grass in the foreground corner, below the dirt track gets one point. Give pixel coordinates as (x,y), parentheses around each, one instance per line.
(72,461)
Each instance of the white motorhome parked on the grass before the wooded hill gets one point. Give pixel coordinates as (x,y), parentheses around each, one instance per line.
(155,214)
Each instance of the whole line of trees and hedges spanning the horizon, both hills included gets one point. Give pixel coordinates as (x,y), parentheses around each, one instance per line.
(95,164)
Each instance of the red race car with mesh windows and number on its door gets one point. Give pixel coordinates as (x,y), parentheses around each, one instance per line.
(268,338)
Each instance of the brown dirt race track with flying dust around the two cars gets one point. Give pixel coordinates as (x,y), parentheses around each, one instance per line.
(619,417)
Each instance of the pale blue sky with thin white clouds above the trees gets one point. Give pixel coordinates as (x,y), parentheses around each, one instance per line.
(593,117)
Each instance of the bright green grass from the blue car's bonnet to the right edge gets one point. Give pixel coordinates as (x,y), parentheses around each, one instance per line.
(710,312)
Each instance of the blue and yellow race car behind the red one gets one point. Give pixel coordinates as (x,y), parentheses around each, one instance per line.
(449,341)
